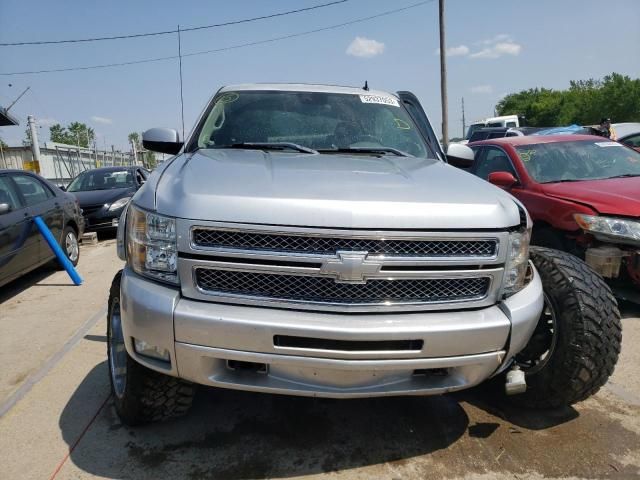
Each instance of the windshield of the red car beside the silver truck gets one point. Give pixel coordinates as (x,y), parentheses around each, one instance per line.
(578,160)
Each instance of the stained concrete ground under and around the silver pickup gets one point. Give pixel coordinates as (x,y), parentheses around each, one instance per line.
(57,419)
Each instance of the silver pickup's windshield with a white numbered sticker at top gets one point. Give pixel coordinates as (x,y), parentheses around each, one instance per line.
(321,121)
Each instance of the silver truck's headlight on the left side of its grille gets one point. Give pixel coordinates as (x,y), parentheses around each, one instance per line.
(152,248)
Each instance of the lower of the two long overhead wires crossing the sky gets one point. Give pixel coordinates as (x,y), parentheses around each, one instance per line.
(224,49)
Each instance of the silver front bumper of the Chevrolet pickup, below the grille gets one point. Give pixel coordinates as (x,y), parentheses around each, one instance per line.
(456,349)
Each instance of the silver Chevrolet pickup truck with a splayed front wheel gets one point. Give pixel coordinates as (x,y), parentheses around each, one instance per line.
(313,240)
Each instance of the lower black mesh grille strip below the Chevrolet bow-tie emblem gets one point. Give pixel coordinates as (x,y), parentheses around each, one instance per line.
(320,289)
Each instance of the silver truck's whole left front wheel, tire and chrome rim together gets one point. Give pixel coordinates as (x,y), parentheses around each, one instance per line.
(141,395)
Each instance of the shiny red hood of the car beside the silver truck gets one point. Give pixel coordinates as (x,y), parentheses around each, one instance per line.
(614,196)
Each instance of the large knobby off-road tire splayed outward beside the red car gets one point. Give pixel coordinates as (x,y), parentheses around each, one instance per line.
(589,332)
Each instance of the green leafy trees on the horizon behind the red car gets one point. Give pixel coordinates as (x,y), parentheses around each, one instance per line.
(585,102)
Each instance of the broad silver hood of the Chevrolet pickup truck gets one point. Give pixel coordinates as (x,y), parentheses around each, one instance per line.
(325,190)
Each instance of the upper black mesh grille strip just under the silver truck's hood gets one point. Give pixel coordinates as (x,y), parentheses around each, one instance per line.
(326,245)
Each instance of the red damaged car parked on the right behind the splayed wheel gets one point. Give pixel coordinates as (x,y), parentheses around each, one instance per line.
(583,193)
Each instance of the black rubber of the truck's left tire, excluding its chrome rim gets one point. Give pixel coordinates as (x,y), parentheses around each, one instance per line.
(149,396)
